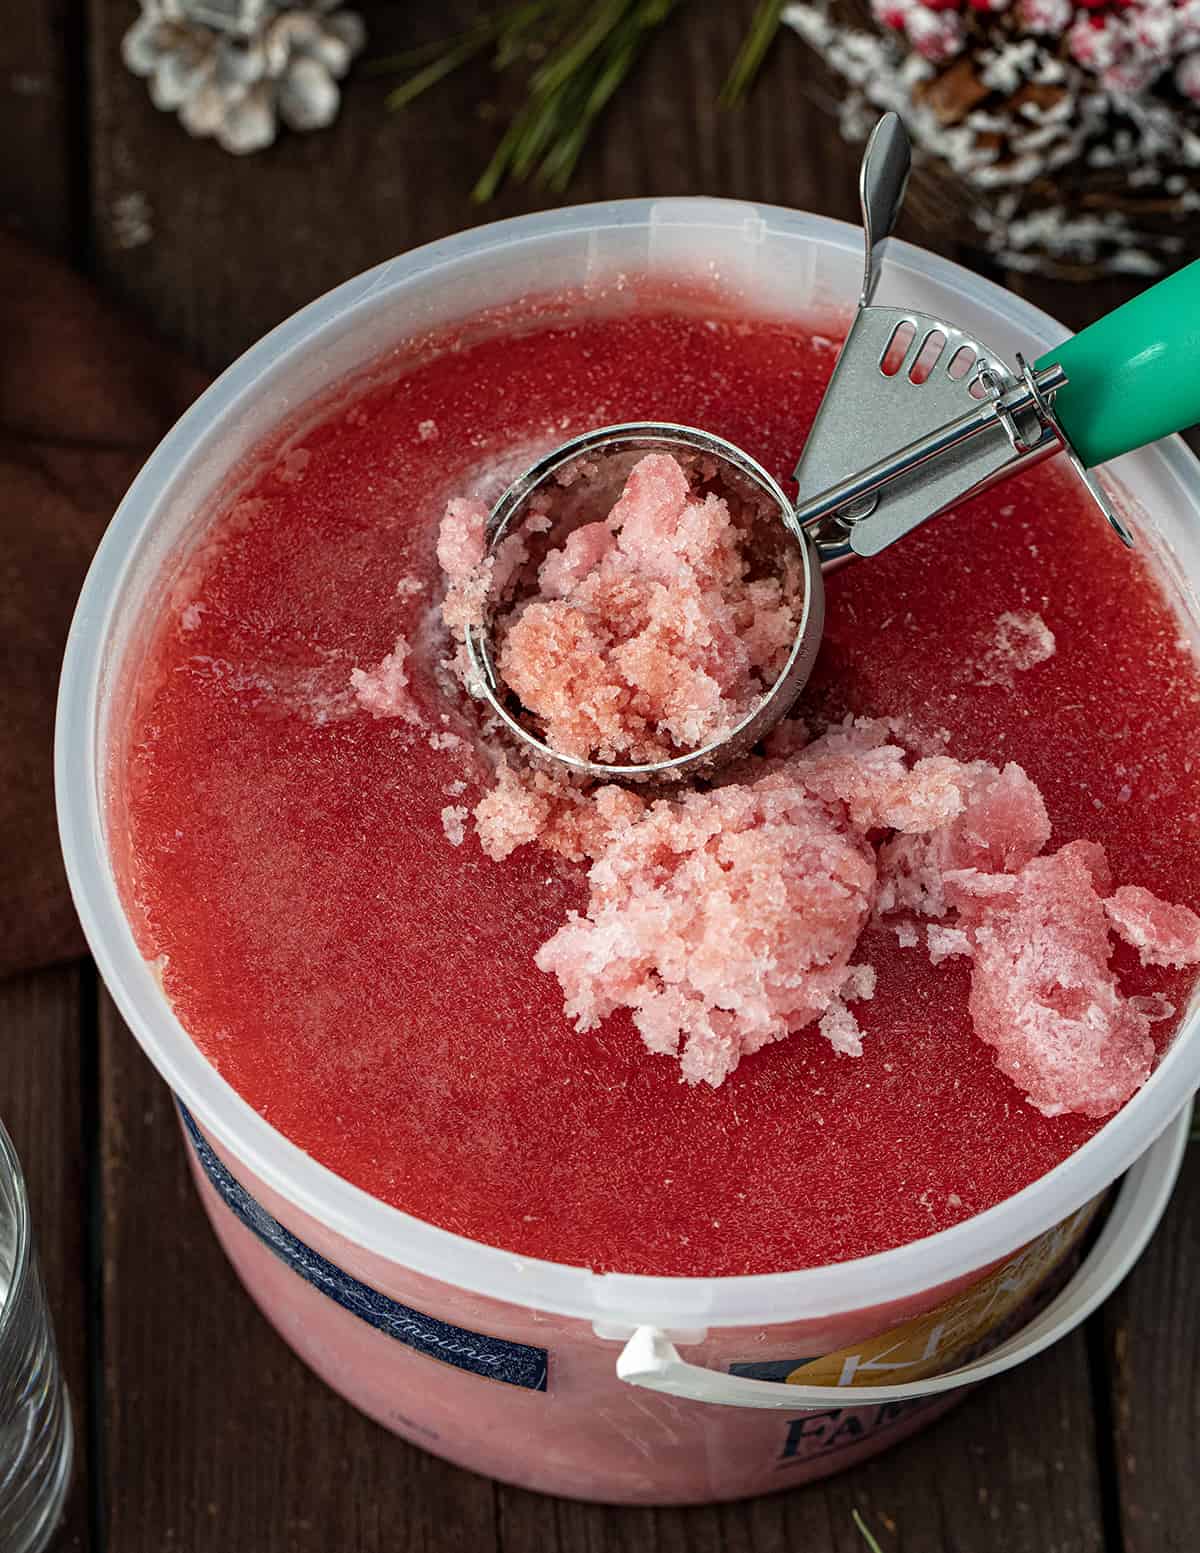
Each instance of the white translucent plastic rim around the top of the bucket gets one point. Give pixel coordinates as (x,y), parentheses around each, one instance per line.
(612,1301)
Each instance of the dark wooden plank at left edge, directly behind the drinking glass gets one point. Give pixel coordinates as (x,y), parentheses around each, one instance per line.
(41,1108)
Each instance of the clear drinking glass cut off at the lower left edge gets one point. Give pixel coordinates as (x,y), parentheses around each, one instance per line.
(35,1414)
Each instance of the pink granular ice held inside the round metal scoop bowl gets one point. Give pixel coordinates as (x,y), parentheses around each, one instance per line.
(648,634)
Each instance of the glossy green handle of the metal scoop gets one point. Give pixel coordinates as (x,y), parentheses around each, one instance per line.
(1136,375)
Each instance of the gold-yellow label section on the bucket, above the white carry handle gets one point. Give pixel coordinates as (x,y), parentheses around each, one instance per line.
(937,1341)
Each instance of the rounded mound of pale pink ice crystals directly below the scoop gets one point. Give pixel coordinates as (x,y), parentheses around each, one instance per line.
(724,920)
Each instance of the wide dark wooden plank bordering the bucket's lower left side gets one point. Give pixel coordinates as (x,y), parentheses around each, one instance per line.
(218,1437)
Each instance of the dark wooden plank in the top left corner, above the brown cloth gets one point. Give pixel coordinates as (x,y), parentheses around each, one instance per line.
(41,119)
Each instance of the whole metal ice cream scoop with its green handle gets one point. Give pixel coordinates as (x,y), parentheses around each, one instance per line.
(918,417)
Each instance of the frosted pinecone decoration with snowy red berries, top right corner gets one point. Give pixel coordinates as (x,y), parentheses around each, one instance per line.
(1069,130)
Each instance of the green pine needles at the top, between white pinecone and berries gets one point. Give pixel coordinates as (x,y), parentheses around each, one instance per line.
(575,57)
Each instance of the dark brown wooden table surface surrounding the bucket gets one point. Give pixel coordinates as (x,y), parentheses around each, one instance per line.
(198,1428)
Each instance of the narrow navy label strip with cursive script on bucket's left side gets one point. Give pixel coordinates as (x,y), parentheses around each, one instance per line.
(494,1358)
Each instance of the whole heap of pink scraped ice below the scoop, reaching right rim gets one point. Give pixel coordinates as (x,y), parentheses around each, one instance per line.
(729,920)
